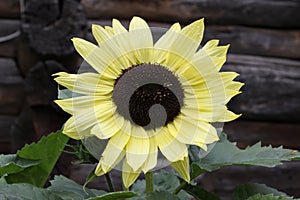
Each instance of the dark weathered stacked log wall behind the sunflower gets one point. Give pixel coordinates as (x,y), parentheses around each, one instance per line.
(265,50)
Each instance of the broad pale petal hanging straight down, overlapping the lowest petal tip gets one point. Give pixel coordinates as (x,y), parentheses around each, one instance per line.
(137,148)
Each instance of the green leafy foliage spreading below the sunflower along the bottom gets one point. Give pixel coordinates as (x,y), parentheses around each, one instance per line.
(24,174)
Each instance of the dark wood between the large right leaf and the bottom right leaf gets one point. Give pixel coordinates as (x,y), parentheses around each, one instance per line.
(284,178)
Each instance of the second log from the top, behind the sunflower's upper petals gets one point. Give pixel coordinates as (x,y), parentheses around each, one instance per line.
(242,40)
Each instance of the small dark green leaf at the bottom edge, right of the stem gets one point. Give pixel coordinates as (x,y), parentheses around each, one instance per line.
(199,193)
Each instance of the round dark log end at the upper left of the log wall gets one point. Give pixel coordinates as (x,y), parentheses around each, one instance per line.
(50,25)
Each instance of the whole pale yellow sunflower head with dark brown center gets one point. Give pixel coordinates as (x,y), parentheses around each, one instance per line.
(146,98)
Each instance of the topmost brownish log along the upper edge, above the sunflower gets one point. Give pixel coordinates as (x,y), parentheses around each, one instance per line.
(270,13)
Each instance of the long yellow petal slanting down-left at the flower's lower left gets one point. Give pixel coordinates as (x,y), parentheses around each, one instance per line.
(114,148)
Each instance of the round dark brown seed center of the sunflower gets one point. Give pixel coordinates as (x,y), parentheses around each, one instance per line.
(148,95)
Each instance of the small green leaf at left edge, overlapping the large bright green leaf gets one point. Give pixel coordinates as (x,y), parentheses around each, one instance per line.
(11,163)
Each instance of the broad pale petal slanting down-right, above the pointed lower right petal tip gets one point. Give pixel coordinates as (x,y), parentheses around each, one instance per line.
(171,148)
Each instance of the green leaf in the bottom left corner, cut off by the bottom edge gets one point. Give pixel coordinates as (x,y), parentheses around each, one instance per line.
(24,191)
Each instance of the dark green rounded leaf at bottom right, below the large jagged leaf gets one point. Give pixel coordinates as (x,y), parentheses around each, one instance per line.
(245,191)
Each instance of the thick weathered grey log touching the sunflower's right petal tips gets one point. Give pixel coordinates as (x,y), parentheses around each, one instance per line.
(271,91)
